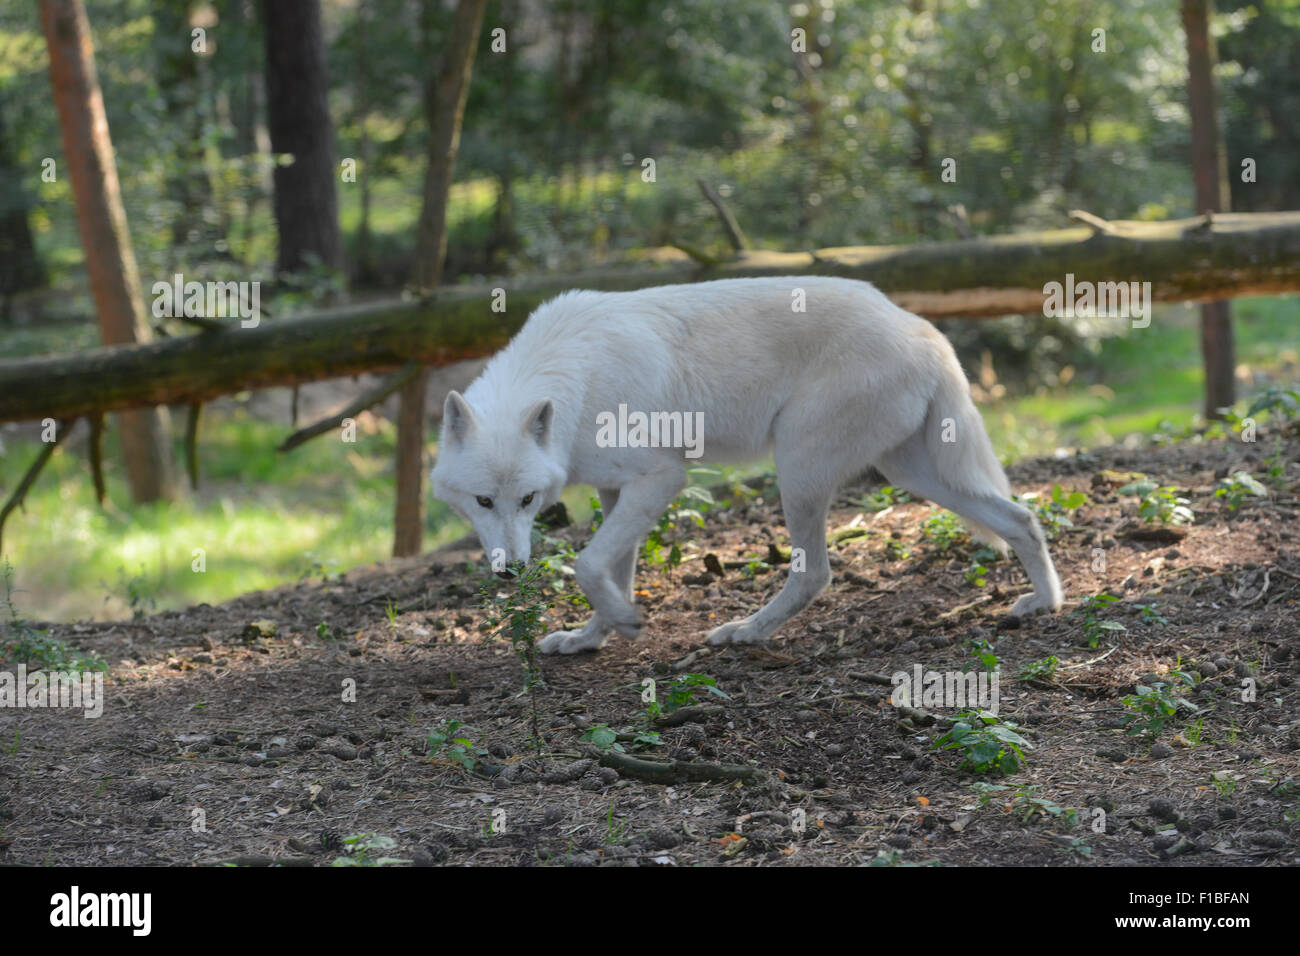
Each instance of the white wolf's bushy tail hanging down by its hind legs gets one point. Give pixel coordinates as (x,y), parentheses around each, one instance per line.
(960,447)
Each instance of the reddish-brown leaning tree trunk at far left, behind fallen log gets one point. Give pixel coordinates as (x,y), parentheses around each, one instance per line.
(110,259)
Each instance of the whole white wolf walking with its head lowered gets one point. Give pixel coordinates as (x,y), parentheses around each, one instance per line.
(852,382)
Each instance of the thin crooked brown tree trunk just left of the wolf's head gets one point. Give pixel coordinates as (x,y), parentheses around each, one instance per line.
(445,106)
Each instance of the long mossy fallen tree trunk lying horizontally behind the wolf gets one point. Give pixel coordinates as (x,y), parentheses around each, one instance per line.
(1232,256)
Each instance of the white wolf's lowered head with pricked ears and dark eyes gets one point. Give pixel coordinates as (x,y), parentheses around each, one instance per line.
(499,475)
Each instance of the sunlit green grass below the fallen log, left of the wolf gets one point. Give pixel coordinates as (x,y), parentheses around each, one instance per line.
(262,520)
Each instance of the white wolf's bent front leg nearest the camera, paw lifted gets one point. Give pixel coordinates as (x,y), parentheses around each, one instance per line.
(605,569)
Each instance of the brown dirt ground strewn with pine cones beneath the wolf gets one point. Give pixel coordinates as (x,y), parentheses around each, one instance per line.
(222,743)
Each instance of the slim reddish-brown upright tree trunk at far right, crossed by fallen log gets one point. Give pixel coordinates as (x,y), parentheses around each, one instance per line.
(1210,166)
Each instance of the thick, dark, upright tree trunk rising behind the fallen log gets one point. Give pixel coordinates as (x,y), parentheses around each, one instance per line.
(298,111)
